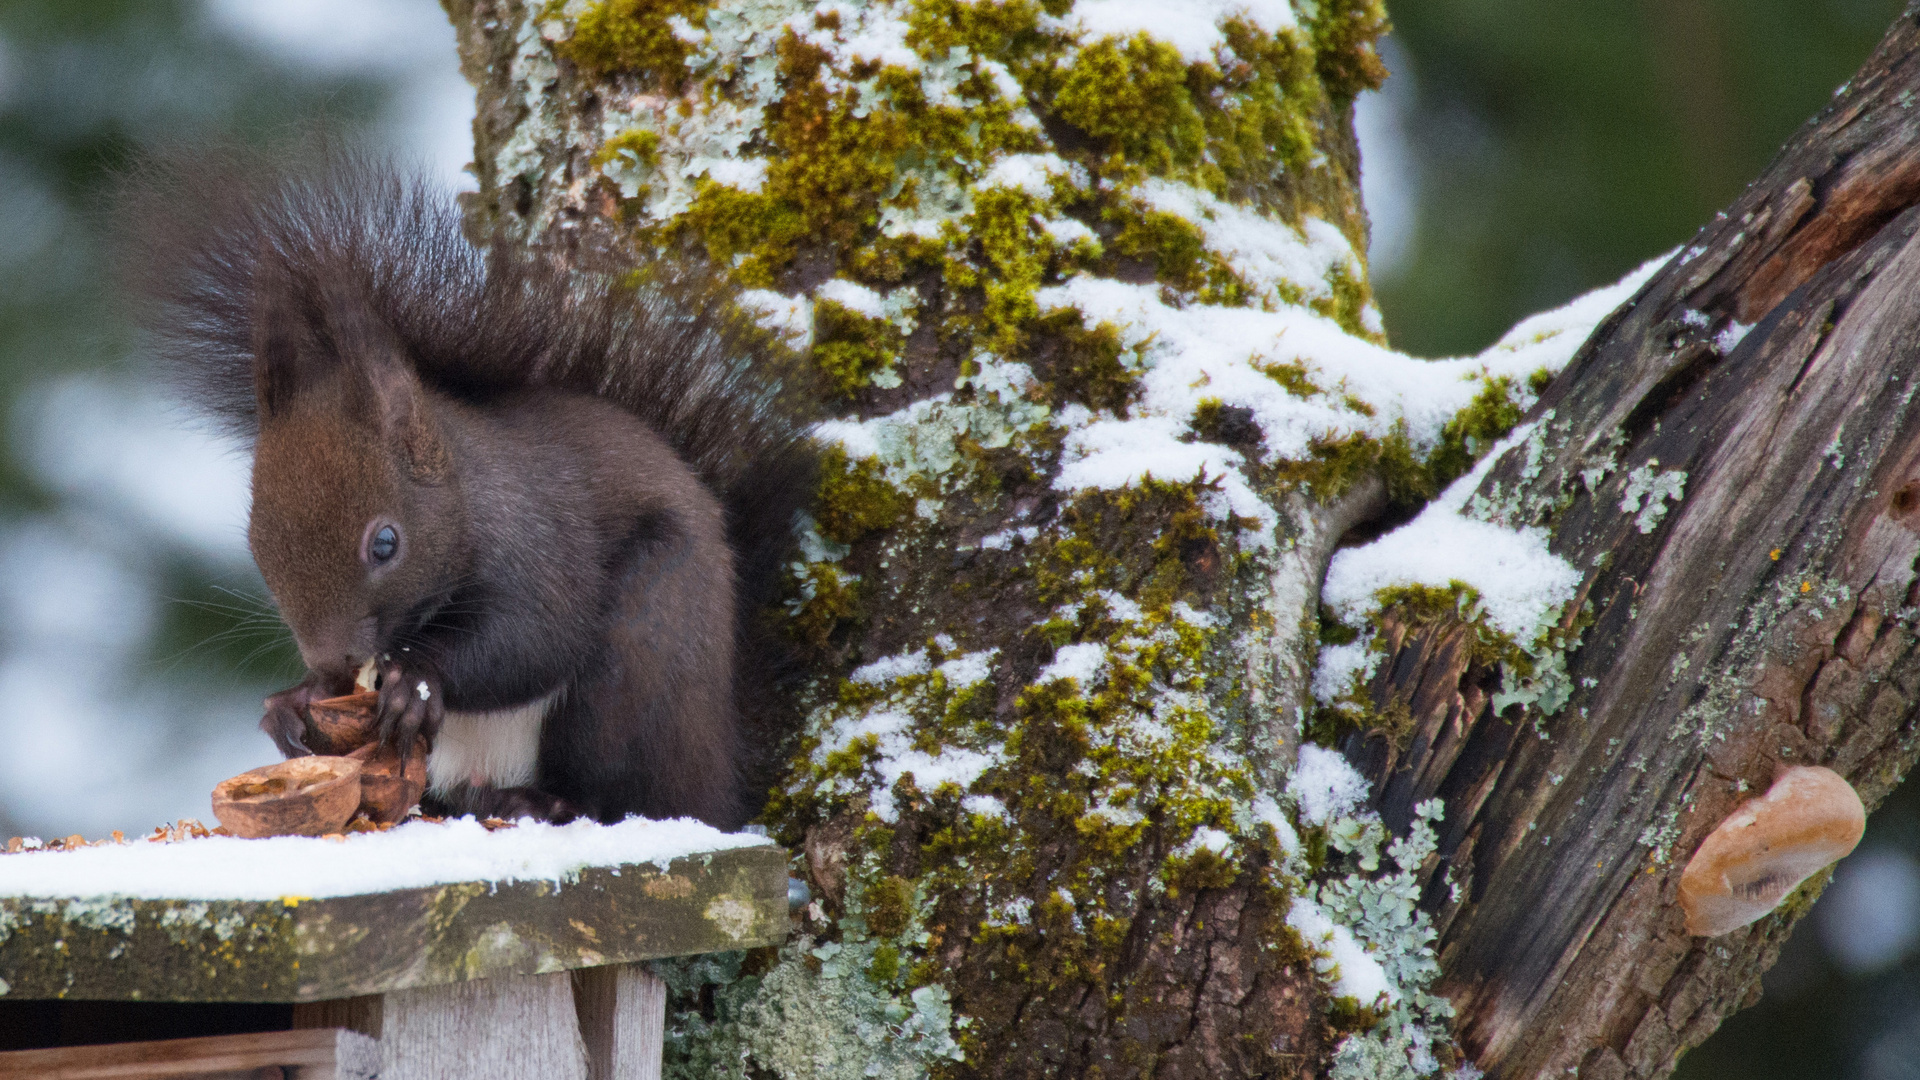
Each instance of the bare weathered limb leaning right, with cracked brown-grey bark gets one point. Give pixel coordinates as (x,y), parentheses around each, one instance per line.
(1765,620)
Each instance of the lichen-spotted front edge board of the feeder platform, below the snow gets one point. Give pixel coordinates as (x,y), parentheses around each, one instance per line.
(314,950)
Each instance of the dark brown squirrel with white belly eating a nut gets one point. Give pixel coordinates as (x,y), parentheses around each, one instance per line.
(548,504)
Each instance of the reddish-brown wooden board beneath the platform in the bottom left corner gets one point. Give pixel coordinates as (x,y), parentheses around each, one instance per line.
(329,1054)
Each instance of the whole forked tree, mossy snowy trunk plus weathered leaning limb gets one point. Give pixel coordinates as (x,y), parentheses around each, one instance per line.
(1111,393)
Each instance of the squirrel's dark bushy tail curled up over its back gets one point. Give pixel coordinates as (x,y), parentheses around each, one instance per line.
(661,341)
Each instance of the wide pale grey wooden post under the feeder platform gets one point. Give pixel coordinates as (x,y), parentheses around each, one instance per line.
(492,1029)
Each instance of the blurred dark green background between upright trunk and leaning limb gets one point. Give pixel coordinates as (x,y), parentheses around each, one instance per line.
(1554,145)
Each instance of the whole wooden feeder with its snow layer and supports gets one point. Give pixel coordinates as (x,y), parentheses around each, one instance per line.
(437,948)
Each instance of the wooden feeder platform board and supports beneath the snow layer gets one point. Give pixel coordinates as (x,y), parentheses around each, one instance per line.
(469,981)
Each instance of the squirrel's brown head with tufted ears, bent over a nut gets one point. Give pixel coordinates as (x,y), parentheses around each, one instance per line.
(358,522)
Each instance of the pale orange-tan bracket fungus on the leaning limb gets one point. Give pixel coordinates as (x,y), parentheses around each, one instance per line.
(1810,820)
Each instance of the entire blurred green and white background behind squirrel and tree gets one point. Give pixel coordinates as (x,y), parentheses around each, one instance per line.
(1522,155)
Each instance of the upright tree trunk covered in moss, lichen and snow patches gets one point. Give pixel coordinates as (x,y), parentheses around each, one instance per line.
(1088,287)
